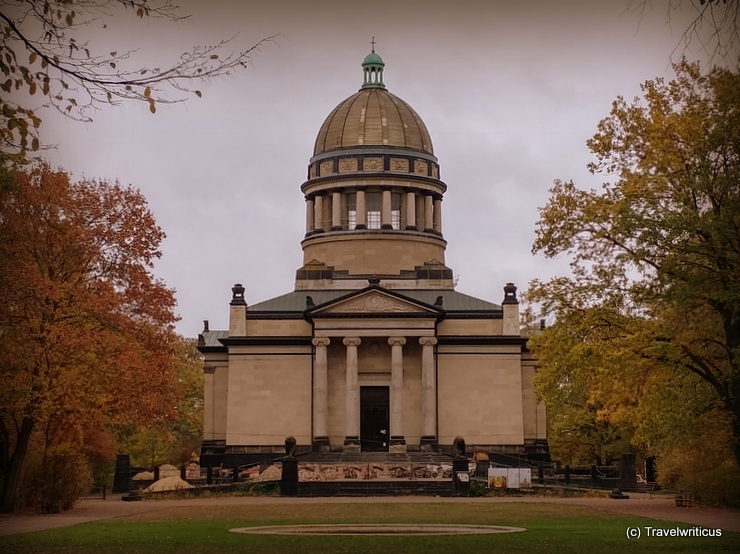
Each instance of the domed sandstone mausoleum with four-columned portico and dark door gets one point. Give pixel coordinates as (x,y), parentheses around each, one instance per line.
(374,349)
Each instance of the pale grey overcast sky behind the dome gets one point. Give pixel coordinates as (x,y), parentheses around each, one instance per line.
(510,92)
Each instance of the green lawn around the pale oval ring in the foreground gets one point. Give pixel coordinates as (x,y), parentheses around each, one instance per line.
(550,528)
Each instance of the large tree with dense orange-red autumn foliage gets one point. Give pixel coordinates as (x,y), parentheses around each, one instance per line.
(86,330)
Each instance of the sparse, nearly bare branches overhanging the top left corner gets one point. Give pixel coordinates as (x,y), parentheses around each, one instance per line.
(48,49)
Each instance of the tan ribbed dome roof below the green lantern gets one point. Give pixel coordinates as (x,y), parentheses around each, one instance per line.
(373,117)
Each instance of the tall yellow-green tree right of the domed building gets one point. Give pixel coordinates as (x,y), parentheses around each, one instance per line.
(655,292)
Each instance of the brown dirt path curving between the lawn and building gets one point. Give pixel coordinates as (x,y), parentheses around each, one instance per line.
(95,509)
